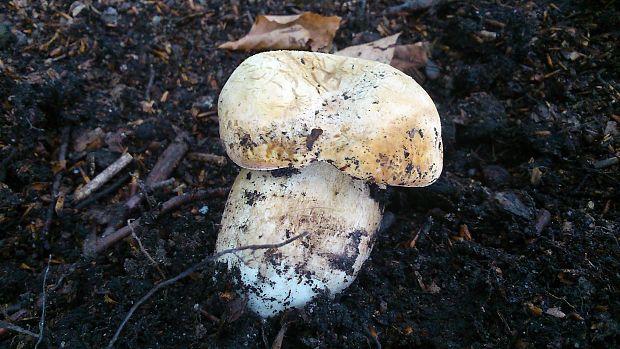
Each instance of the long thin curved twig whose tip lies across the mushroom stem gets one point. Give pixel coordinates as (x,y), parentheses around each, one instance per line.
(191,270)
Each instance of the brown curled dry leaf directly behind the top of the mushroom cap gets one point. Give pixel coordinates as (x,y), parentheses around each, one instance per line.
(294,32)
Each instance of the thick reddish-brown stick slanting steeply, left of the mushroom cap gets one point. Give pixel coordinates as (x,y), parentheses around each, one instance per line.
(162,170)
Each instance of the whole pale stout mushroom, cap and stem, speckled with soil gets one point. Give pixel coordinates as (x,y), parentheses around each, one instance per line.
(312,132)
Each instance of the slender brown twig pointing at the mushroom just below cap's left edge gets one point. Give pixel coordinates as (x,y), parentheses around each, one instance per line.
(101,244)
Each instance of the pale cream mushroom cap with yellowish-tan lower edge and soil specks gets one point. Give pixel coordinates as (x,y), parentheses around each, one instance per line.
(289,108)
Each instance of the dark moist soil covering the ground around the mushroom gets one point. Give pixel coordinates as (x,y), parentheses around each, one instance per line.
(515,246)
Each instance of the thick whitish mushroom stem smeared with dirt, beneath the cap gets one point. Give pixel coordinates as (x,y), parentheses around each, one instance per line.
(338,213)
